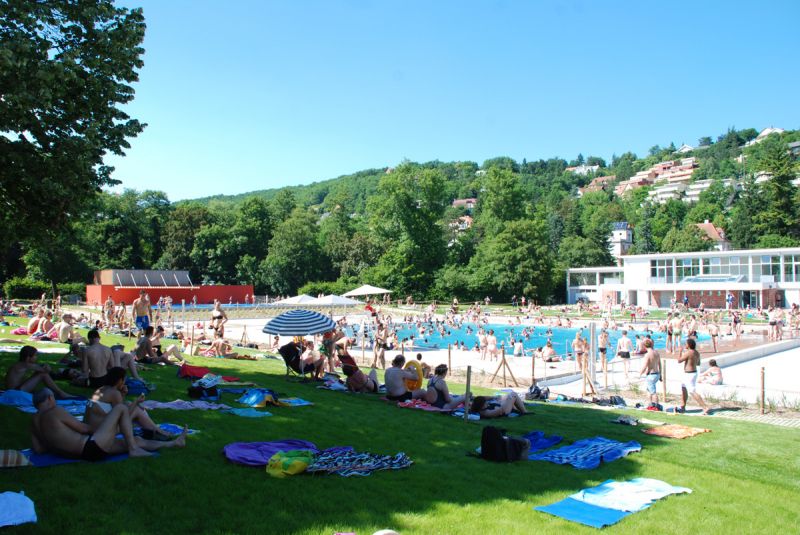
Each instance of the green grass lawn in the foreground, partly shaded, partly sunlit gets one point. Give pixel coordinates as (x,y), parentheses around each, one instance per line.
(745,476)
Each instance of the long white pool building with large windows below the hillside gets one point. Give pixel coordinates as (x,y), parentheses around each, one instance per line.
(755,277)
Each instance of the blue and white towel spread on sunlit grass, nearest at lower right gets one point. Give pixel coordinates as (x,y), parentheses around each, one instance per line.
(611,501)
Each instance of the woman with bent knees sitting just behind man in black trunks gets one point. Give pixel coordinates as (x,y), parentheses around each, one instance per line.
(111,394)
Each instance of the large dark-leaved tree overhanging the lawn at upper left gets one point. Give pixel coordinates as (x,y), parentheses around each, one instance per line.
(65,72)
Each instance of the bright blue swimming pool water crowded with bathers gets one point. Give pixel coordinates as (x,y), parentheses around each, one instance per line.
(532,336)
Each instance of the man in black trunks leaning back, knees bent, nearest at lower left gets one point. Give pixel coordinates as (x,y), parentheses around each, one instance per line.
(56,431)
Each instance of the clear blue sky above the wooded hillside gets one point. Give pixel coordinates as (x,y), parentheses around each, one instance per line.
(247,95)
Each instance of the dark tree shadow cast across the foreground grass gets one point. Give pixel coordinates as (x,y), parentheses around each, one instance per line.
(198,490)
